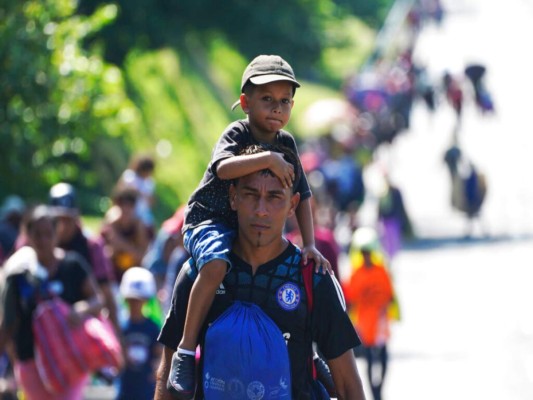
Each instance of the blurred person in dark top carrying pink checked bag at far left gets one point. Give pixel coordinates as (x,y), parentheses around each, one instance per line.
(34,272)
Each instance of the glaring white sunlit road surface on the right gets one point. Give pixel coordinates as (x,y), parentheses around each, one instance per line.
(467,323)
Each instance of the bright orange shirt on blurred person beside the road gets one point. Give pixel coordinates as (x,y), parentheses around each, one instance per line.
(369,294)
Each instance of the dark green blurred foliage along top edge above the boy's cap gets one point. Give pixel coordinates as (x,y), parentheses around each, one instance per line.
(290,28)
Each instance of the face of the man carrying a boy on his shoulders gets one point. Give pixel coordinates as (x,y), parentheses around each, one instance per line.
(262,205)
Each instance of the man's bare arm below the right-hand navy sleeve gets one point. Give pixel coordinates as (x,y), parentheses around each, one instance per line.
(346,377)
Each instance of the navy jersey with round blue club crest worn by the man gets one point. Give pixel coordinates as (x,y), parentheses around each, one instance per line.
(278,288)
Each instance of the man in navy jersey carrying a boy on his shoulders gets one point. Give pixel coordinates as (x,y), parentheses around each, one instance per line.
(264,266)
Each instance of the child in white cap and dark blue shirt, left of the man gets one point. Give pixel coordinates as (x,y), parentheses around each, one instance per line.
(142,352)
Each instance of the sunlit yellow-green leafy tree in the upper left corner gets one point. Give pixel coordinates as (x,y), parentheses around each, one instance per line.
(58,101)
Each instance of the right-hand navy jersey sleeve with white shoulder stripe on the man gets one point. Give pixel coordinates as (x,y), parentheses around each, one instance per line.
(332,329)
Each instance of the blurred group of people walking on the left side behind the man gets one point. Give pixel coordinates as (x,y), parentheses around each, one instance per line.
(125,258)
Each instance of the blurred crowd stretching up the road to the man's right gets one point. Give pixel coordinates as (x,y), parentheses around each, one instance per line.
(377,108)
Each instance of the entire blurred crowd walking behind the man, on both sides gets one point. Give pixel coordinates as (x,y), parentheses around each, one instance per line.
(134,263)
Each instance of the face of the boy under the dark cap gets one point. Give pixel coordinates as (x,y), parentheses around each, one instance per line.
(269,109)
